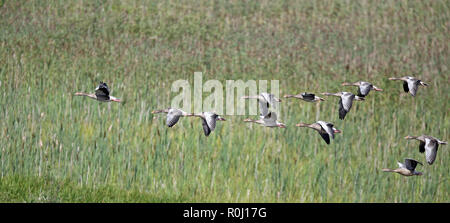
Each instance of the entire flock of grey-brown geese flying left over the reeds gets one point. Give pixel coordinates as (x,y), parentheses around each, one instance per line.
(268,118)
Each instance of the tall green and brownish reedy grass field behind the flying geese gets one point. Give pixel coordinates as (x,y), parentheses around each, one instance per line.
(59,148)
